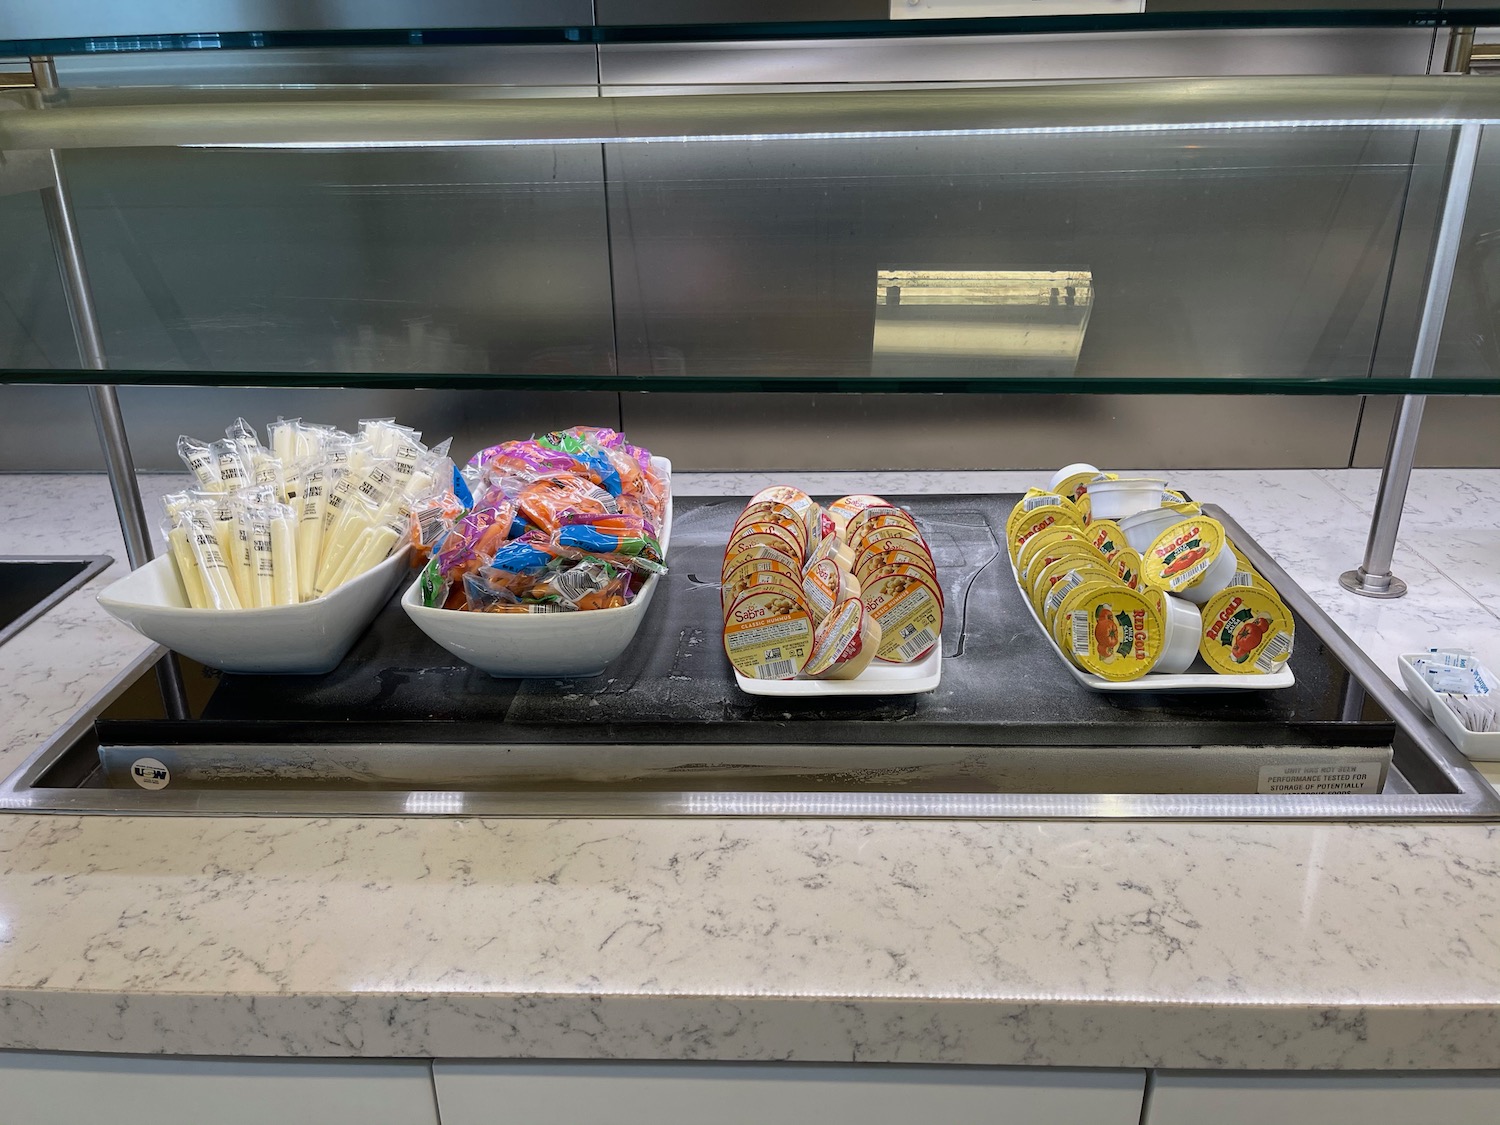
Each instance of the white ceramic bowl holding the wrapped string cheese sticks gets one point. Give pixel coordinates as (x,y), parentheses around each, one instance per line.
(307,640)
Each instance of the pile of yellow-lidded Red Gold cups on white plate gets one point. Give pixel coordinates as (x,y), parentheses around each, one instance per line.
(1132,580)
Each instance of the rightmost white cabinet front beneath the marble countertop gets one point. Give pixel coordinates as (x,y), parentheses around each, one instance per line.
(1190,1099)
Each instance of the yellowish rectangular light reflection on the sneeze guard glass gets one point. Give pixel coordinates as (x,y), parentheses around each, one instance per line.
(980,323)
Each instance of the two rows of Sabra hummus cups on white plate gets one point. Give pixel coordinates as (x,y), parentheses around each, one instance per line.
(824,593)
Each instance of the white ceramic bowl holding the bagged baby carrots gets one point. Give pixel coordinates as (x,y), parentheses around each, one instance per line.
(532,646)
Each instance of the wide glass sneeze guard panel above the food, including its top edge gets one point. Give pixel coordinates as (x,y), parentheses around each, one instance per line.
(1165,236)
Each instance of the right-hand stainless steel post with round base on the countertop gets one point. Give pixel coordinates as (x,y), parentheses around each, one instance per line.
(1373,578)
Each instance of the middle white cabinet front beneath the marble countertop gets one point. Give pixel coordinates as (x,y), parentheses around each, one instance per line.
(752,1094)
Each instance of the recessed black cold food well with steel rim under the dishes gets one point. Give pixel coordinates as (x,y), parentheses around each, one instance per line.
(403,728)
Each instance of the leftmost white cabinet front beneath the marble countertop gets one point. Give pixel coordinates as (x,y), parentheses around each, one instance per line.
(110,1090)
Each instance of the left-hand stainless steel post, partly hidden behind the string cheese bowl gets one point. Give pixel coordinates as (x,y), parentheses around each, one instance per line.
(109,421)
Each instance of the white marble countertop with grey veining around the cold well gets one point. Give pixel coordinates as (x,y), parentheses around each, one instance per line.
(988,943)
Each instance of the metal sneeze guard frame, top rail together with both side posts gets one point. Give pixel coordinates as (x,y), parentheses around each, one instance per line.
(1153,106)
